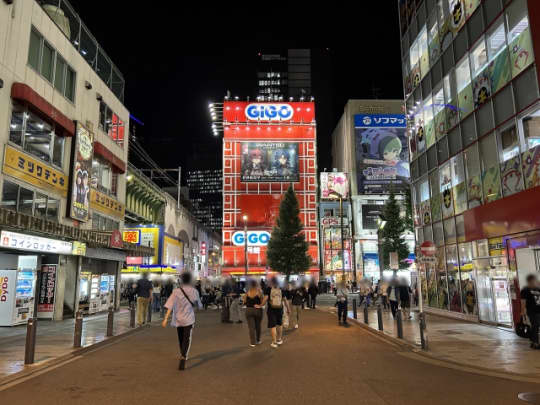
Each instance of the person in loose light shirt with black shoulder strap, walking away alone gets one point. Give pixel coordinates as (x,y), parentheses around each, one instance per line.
(181,303)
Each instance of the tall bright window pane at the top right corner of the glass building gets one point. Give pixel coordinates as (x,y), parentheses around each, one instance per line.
(519,37)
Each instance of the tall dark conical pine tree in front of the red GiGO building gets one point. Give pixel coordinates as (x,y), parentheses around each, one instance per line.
(287,251)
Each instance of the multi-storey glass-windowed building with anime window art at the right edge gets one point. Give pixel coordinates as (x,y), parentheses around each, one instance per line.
(471,89)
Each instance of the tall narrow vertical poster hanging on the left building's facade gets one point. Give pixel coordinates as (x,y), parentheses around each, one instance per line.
(83,150)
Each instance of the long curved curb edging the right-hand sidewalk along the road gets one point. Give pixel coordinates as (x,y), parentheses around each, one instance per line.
(415,349)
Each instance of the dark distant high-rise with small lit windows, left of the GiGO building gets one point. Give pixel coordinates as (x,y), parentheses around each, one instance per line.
(206,195)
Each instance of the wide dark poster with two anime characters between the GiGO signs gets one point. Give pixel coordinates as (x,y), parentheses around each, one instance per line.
(269,162)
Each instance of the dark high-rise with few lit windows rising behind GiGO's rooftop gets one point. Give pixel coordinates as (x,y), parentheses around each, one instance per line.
(284,73)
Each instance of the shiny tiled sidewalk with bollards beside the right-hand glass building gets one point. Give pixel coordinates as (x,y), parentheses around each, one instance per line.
(463,343)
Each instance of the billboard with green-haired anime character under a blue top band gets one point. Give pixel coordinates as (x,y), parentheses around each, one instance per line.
(381,153)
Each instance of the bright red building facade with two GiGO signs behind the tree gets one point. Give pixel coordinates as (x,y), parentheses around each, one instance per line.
(266,147)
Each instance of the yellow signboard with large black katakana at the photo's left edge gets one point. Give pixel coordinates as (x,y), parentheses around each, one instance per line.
(24,167)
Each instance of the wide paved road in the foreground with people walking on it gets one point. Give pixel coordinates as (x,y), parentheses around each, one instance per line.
(320,363)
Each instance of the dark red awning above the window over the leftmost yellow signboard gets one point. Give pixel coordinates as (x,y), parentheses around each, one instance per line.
(23,92)
